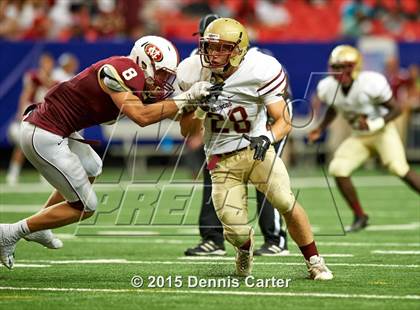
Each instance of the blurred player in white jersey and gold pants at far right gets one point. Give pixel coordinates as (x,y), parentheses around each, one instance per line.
(365,100)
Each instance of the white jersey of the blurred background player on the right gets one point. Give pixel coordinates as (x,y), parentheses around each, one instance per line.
(369,90)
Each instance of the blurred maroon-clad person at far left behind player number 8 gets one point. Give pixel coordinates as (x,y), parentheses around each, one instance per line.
(36,83)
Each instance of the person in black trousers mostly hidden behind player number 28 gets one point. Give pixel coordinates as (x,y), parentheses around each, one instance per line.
(211,230)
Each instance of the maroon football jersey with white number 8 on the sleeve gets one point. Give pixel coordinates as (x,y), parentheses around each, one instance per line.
(80,102)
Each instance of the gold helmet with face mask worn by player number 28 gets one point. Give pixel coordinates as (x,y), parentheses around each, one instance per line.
(225,42)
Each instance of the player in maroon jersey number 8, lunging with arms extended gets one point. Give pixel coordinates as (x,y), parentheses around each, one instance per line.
(101,93)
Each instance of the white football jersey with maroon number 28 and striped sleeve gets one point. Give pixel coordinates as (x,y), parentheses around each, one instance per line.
(241,108)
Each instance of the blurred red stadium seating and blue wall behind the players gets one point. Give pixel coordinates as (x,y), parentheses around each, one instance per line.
(299,33)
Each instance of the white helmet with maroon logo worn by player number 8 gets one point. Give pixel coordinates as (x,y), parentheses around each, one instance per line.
(158,58)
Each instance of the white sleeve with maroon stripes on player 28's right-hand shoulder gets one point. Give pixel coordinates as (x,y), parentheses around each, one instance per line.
(274,84)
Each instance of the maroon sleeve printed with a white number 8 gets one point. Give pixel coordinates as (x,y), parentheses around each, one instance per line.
(129,72)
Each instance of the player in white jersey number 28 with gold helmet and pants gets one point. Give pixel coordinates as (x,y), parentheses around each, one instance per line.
(253,84)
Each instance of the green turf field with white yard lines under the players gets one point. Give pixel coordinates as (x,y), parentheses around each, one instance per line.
(142,229)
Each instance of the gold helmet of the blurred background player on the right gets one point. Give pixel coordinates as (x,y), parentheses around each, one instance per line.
(343,56)
